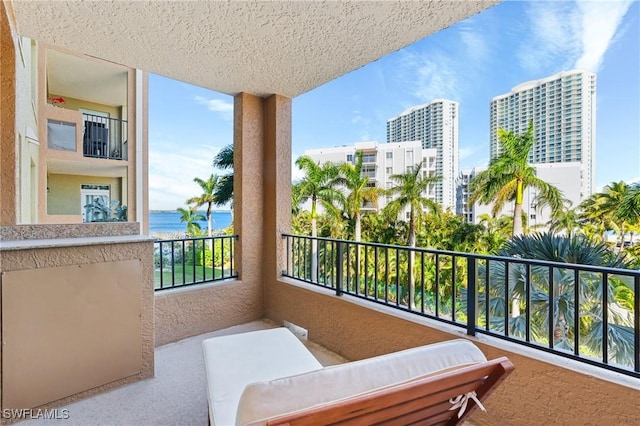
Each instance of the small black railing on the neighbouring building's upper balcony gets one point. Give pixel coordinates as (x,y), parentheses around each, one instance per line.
(104,137)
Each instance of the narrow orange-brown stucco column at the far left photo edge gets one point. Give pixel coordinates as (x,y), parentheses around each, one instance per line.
(8,195)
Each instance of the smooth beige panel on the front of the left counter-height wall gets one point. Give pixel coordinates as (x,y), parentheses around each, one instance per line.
(85,318)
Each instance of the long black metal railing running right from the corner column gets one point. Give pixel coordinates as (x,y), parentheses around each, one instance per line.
(586,313)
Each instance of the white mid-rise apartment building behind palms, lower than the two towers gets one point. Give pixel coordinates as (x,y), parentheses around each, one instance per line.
(382,160)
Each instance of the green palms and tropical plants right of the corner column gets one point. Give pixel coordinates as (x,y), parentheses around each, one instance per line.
(423,281)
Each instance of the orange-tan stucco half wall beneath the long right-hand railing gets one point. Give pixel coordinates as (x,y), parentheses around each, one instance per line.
(536,393)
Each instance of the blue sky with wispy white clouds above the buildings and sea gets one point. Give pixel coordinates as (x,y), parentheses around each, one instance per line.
(471,62)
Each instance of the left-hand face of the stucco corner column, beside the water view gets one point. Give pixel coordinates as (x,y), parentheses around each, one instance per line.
(248,154)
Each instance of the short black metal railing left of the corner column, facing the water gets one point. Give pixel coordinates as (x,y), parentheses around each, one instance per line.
(188,261)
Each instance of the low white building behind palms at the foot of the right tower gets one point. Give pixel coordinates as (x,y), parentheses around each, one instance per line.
(564,176)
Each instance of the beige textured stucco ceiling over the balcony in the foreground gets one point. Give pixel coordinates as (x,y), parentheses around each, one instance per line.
(284,47)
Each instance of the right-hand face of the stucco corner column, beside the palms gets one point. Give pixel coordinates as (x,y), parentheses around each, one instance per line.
(277,183)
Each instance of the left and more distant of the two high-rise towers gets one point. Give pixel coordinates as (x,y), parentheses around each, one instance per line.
(435,124)
